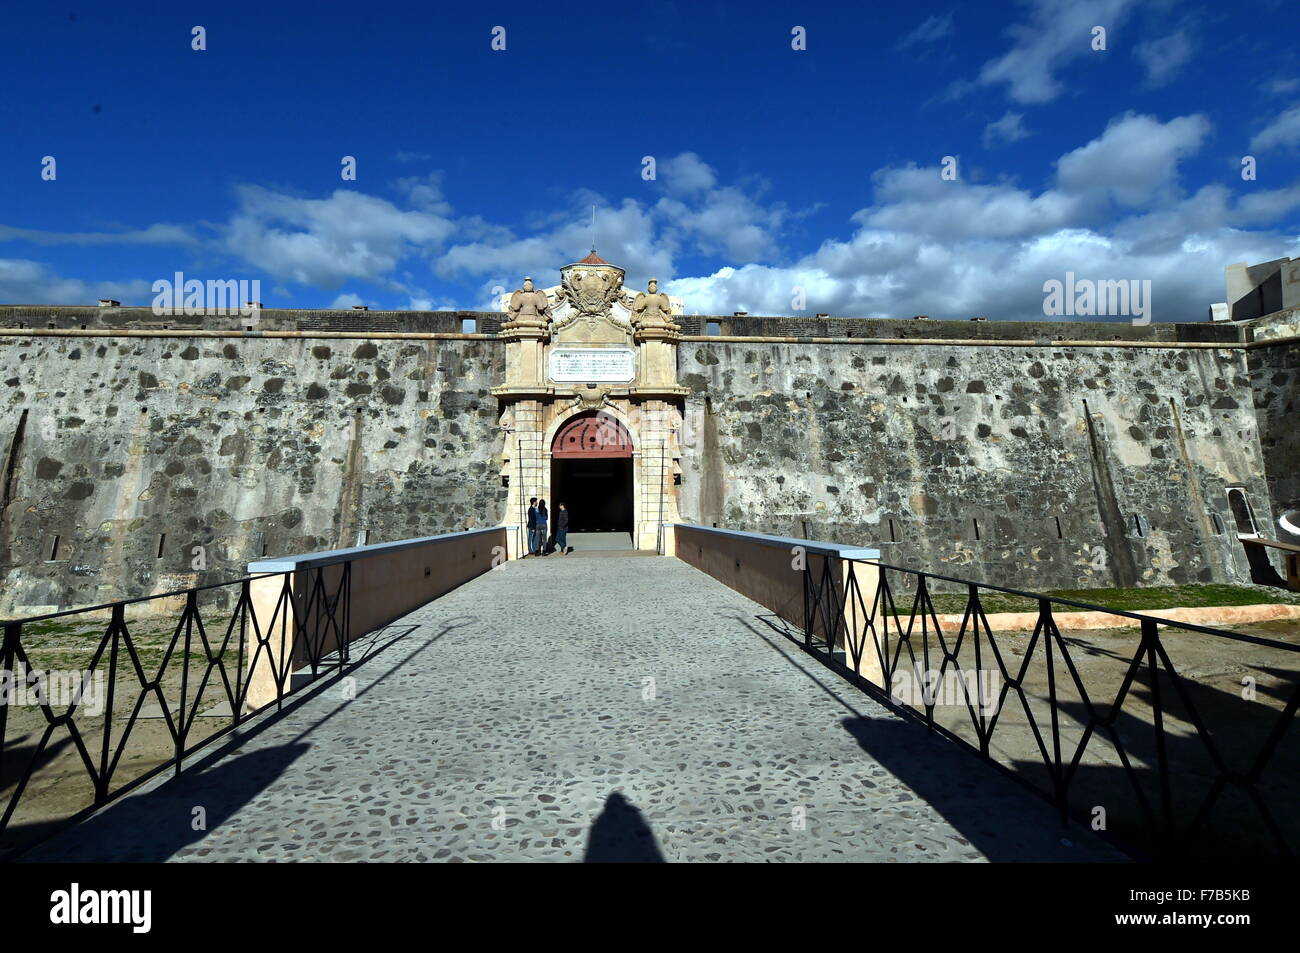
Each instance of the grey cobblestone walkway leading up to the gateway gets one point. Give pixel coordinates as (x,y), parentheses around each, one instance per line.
(625,709)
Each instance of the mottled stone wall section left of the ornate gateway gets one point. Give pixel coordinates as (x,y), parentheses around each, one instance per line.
(132,450)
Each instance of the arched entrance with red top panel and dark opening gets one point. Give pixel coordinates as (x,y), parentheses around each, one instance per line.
(592,474)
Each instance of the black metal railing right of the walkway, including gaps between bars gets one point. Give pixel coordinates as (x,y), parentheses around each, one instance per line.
(1206,770)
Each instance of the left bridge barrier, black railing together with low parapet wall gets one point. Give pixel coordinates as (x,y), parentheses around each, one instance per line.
(141,686)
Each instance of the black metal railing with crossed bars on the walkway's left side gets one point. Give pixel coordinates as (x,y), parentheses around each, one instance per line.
(198,672)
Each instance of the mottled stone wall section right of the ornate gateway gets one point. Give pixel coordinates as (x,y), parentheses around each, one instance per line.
(1030,467)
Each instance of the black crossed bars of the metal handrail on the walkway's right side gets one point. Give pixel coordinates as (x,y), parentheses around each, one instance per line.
(839,620)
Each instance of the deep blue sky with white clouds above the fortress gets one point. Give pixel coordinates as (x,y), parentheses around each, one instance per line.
(775,168)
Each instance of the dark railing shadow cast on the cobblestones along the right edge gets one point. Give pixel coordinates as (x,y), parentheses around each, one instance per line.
(1002,824)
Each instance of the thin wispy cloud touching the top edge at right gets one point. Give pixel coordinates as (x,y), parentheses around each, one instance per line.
(1055,34)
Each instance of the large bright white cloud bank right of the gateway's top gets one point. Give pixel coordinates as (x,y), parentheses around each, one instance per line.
(957,249)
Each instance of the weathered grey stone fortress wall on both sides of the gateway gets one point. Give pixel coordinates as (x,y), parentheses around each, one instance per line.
(1078,454)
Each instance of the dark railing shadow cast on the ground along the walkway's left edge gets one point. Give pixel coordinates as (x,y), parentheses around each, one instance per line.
(154,822)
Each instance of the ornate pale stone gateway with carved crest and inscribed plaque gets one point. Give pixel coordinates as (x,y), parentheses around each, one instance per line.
(586,361)
